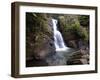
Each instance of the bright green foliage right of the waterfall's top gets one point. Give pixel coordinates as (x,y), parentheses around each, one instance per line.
(70,27)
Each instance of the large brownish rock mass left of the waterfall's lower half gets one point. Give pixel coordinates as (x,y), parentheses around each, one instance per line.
(43,46)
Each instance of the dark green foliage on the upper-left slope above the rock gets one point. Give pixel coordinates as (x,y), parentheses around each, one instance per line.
(37,22)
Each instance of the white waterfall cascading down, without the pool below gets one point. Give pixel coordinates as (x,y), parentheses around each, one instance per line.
(58,39)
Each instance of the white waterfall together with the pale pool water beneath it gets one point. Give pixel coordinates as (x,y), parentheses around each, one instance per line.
(62,50)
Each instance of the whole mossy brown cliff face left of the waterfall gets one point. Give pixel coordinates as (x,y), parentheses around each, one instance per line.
(39,36)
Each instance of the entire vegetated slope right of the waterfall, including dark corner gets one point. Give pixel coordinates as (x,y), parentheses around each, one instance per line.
(73,29)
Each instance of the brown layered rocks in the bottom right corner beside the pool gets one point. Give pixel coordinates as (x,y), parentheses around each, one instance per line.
(80,57)
